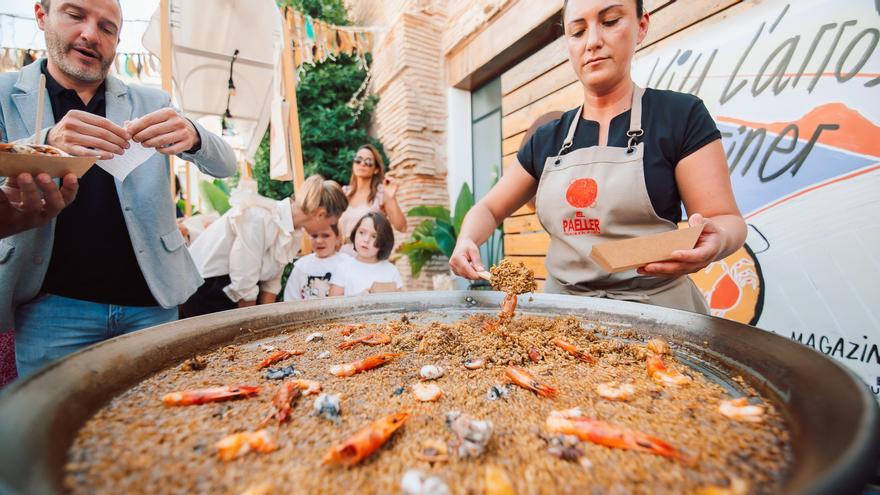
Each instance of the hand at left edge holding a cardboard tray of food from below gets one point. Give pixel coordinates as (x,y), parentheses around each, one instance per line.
(23,208)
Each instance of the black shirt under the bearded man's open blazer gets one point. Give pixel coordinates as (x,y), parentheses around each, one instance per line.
(92,257)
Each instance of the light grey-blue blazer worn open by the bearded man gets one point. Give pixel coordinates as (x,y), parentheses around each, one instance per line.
(145,197)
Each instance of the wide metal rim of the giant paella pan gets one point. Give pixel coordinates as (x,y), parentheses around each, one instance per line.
(833,416)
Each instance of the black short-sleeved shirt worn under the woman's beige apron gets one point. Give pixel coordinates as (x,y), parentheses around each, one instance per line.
(675,125)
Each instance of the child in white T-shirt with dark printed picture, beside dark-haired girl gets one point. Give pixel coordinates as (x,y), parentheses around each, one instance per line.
(313,273)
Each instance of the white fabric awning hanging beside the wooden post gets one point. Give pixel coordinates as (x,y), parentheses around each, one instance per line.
(205,34)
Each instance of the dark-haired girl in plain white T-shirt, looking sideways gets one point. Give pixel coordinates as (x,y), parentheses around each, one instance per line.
(370,271)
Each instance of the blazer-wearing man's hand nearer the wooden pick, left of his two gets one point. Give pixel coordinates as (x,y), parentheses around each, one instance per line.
(83,134)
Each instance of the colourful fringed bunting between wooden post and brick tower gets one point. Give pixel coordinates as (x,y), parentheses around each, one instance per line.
(316,41)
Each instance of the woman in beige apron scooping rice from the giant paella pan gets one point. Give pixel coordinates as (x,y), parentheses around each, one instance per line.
(617,167)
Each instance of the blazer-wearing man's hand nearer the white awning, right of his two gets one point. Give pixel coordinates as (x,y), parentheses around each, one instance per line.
(166,130)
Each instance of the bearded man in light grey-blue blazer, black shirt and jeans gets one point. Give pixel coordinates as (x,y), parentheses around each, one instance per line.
(113,261)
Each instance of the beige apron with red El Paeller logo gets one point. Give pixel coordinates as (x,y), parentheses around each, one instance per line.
(598,194)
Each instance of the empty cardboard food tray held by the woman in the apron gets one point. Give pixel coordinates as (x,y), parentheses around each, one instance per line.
(620,256)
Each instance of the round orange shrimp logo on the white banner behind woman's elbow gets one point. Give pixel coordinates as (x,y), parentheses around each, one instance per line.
(733,287)
